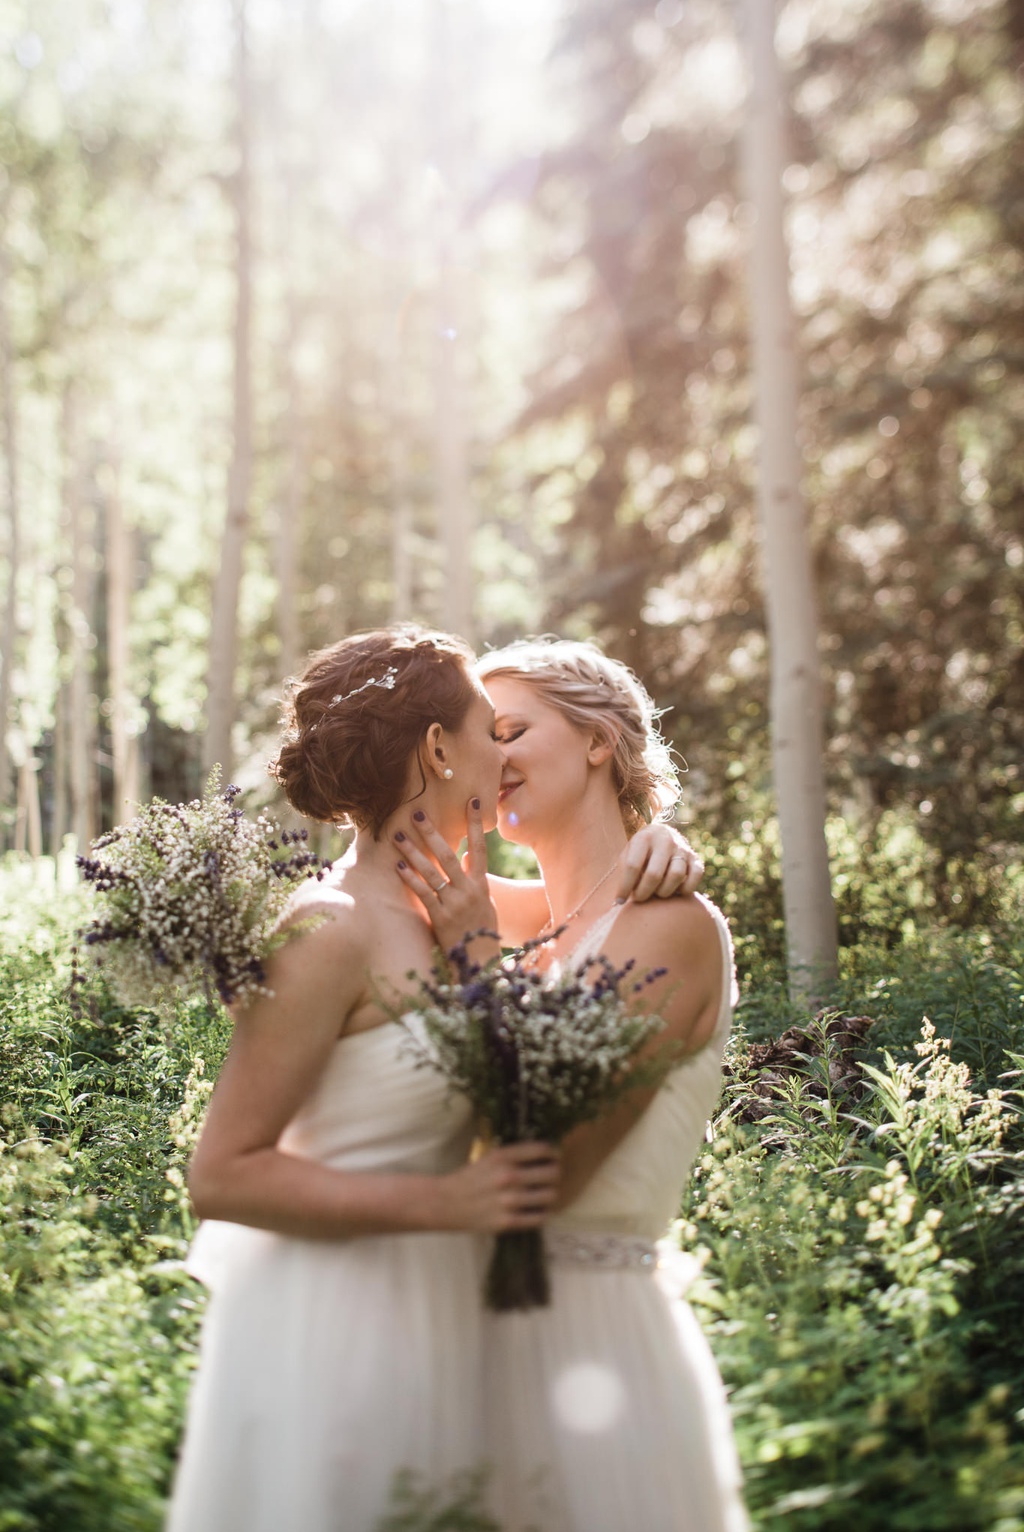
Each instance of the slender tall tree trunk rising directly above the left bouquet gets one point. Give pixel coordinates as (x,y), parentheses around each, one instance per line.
(229,578)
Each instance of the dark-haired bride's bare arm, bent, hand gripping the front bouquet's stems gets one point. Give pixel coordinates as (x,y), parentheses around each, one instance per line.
(280,1050)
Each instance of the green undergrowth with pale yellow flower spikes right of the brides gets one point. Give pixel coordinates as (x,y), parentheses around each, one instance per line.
(859,1295)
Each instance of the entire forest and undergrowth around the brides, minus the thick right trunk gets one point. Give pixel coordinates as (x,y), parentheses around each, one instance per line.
(324,313)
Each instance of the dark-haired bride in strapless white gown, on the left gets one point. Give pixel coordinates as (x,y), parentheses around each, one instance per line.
(343,1214)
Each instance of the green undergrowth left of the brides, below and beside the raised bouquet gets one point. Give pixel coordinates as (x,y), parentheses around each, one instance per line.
(97,1318)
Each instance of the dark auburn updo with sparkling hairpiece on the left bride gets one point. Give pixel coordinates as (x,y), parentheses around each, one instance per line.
(356,716)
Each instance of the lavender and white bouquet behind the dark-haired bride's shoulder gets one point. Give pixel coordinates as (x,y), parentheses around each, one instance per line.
(189,897)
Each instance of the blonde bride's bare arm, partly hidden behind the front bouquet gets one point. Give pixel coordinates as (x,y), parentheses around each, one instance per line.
(680,937)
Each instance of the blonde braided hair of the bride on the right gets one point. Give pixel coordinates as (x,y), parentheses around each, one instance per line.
(602,695)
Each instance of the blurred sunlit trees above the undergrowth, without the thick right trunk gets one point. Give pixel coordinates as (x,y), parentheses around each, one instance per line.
(438,310)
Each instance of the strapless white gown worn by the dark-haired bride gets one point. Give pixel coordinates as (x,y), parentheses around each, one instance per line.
(327,1367)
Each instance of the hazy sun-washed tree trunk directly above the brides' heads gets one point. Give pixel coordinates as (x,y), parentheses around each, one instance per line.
(455,509)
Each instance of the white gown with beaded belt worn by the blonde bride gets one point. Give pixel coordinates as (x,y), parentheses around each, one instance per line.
(606,1412)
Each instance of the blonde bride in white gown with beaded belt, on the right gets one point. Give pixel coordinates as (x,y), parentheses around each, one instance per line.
(605,1412)
